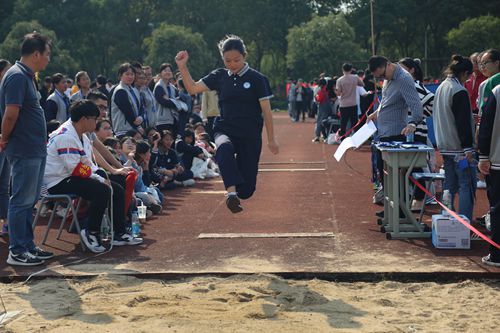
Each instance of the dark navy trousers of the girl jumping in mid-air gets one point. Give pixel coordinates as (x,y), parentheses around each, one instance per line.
(238,160)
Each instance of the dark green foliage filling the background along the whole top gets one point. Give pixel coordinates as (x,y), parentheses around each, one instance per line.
(98,35)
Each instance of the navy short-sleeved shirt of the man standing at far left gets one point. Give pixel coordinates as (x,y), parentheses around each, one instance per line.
(29,136)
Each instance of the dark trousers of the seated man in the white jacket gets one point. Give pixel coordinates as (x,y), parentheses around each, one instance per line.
(98,195)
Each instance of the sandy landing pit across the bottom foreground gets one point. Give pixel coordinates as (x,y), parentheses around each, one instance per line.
(254,303)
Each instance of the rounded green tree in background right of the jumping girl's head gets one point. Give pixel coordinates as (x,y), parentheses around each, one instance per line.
(321,45)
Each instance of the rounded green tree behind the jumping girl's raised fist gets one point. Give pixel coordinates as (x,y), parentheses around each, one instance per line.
(167,40)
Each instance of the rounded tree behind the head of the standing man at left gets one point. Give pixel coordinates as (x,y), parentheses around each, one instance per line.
(61,60)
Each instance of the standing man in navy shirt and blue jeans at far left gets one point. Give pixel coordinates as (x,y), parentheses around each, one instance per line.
(23,139)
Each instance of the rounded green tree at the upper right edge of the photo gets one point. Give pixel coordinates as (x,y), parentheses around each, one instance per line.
(475,34)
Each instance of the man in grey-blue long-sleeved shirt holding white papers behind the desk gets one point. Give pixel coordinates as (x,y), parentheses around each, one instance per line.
(398,96)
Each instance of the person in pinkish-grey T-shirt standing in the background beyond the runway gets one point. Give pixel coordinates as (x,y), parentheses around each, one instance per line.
(346,88)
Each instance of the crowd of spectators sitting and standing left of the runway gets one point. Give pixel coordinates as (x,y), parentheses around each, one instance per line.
(117,146)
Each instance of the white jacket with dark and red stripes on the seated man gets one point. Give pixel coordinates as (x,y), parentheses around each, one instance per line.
(64,151)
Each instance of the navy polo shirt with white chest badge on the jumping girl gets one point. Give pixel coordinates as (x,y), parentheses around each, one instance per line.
(239,100)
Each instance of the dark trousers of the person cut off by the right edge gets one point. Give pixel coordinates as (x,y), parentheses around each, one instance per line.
(494,198)
